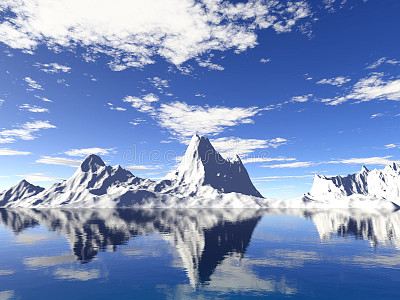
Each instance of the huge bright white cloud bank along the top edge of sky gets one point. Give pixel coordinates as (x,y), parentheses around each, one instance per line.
(137,31)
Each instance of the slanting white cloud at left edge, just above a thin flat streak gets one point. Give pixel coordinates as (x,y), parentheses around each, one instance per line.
(23,132)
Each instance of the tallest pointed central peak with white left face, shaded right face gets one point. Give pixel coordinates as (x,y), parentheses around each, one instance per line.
(203,167)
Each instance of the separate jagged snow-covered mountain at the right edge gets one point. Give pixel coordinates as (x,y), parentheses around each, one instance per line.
(379,184)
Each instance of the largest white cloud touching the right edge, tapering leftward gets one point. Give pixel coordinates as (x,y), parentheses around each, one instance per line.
(370,88)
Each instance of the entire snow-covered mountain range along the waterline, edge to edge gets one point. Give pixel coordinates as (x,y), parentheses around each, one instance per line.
(203,179)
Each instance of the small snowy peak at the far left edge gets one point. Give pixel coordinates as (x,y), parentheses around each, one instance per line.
(20,191)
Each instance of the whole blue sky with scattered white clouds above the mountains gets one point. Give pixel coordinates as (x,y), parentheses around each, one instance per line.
(295,88)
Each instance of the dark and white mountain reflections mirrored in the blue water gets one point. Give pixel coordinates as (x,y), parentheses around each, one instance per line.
(203,238)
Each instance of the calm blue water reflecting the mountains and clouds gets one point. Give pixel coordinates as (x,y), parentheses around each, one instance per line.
(199,254)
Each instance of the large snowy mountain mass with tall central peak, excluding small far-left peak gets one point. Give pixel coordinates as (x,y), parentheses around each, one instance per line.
(204,178)
